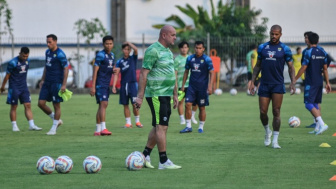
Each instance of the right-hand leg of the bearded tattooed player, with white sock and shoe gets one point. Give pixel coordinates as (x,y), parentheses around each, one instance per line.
(276,107)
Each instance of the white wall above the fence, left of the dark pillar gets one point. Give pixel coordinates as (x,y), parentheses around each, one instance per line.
(38,18)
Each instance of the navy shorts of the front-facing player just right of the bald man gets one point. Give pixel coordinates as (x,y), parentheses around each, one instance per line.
(201,98)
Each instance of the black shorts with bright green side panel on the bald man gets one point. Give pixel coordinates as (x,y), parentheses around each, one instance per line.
(160,109)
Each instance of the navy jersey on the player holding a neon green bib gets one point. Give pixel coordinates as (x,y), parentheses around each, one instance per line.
(56,61)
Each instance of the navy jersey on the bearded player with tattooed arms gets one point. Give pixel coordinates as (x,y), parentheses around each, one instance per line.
(273,58)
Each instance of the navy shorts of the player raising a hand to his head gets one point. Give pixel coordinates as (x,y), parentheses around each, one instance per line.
(128,91)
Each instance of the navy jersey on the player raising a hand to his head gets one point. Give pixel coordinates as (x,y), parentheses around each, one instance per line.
(127,68)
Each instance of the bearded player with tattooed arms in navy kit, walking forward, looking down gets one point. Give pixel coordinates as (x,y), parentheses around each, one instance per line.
(272,57)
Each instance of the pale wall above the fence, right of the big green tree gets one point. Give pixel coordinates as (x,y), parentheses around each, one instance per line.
(297,16)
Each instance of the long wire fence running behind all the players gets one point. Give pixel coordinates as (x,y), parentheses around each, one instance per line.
(232,52)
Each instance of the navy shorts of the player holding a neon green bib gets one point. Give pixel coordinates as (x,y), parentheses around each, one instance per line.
(49,92)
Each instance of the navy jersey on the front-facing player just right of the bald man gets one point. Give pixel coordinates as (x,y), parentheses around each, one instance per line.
(199,68)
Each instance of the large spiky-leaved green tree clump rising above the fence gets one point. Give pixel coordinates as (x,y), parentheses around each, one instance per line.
(229,27)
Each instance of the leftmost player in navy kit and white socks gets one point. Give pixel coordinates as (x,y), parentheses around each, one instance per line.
(16,73)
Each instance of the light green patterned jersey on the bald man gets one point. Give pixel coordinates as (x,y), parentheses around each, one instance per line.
(161,77)
